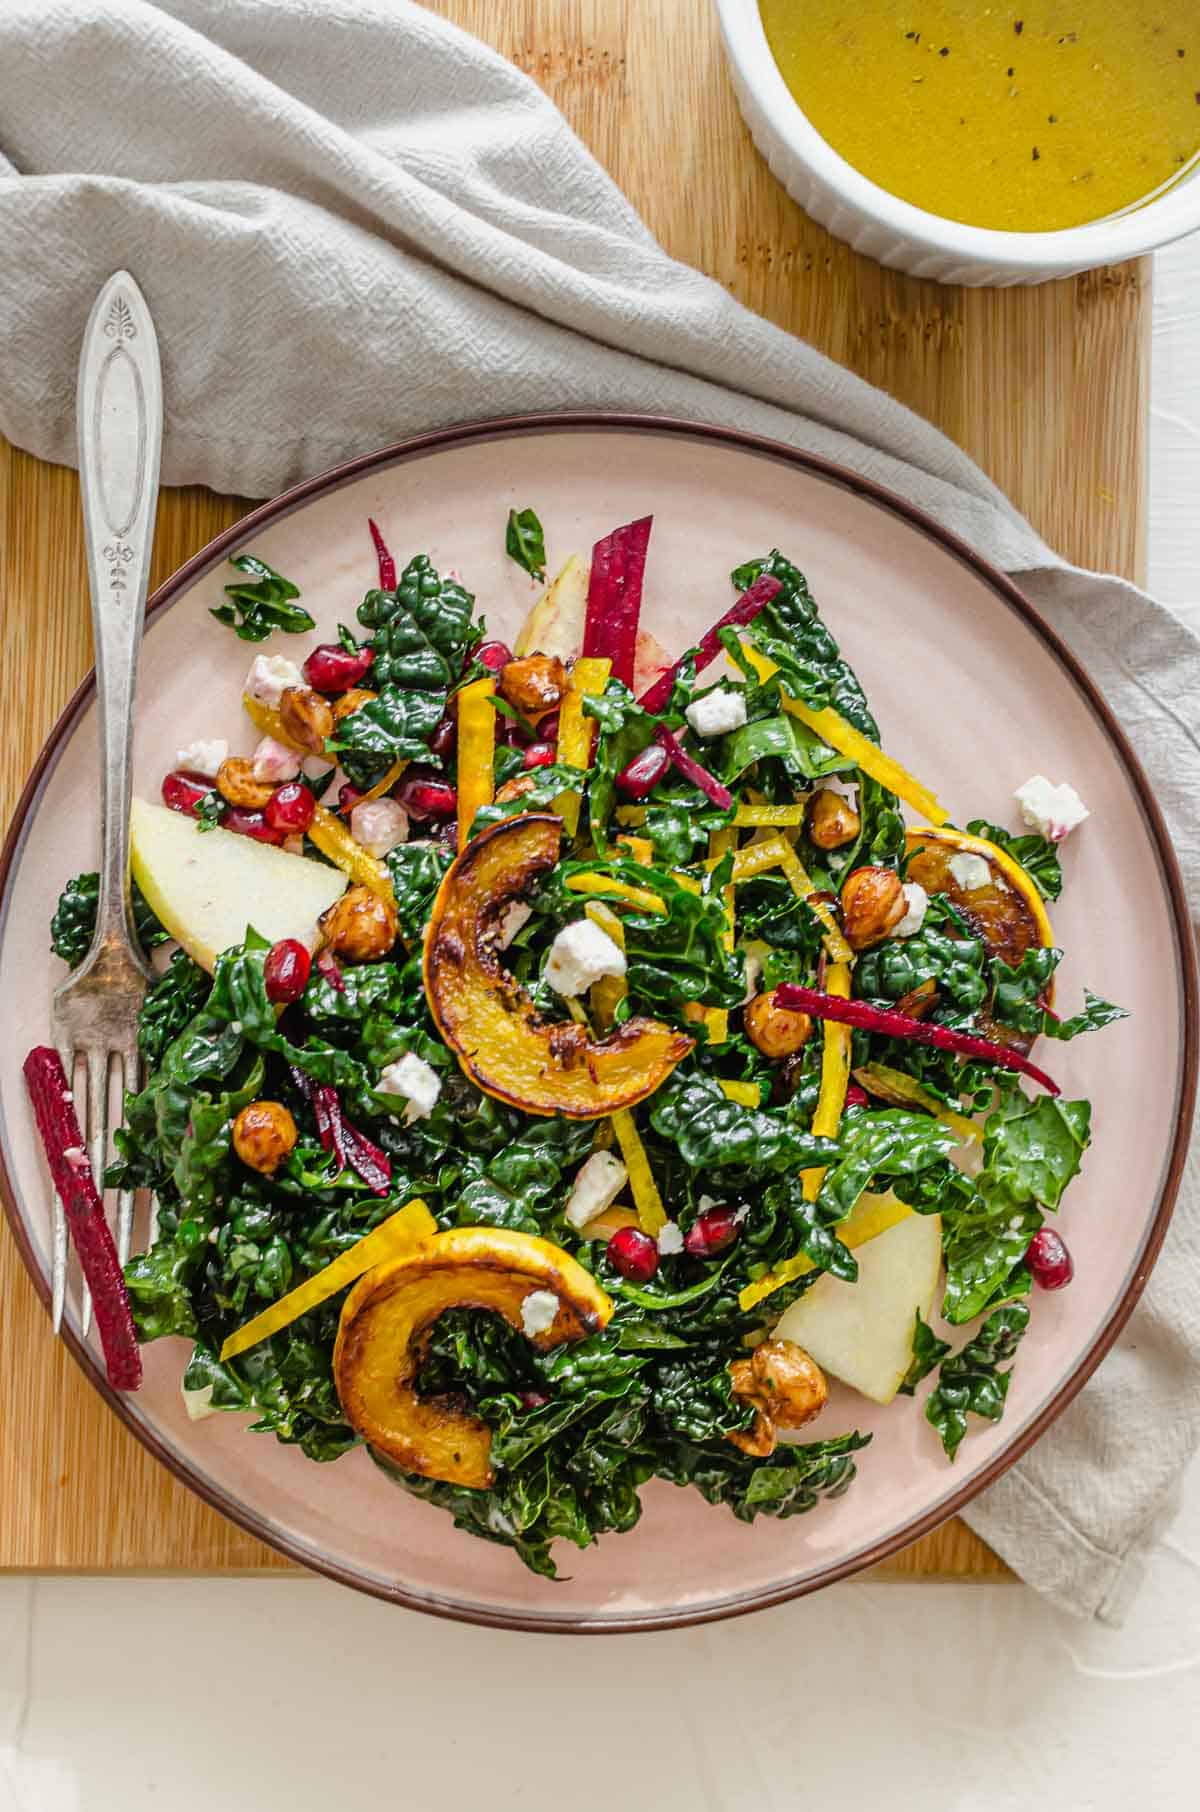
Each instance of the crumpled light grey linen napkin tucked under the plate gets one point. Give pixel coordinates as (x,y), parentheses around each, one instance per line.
(353,224)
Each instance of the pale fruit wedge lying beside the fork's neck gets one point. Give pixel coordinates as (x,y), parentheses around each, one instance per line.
(209,885)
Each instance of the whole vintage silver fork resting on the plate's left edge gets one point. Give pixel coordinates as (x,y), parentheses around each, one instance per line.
(121,430)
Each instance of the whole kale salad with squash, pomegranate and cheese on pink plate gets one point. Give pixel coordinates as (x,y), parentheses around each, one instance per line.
(572,1057)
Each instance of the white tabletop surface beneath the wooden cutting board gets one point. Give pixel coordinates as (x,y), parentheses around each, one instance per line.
(262,1695)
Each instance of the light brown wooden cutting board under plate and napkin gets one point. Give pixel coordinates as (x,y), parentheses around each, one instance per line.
(1047,389)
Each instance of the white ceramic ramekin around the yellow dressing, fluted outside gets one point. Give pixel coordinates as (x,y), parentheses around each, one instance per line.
(896,233)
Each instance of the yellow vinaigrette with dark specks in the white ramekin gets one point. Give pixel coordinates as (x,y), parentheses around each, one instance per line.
(1020,117)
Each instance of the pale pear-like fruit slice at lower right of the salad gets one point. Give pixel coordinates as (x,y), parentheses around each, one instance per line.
(862,1333)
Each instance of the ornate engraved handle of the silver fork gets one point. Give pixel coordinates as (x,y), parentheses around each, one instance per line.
(119,414)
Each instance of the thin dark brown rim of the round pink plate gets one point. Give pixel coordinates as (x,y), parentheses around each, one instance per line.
(467,434)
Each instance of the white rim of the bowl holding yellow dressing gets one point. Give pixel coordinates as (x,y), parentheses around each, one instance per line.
(1090,246)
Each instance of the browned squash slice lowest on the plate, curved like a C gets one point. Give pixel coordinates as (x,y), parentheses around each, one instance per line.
(387,1318)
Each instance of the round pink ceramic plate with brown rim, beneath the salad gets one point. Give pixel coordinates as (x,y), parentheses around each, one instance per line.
(973,693)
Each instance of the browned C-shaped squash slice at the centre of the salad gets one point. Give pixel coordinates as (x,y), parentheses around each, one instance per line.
(490,1023)
